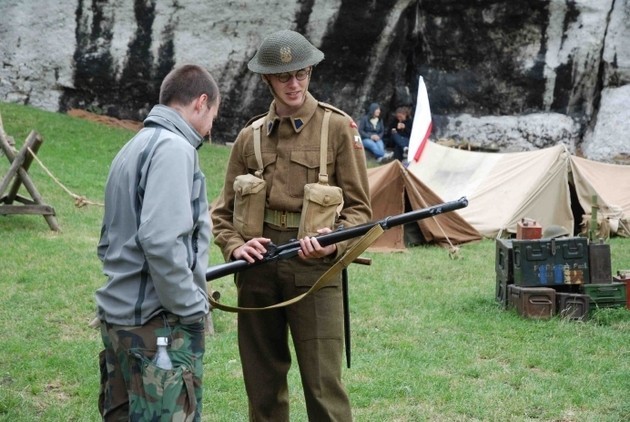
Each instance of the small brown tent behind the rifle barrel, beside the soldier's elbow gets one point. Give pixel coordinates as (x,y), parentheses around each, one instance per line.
(395,190)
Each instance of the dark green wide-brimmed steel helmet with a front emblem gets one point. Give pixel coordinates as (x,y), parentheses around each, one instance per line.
(284,51)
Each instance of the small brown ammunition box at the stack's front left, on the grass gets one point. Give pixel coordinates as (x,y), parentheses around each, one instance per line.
(533,302)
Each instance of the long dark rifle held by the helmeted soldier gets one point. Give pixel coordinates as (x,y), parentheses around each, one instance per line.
(291,248)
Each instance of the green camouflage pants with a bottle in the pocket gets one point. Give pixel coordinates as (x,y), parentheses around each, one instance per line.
(134,389)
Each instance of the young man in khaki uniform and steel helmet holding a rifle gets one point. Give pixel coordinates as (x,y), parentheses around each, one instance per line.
(290,148)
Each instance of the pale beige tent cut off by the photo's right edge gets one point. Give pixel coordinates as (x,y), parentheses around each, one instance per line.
(610,183)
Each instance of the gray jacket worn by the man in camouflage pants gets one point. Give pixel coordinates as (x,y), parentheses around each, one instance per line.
(156,228)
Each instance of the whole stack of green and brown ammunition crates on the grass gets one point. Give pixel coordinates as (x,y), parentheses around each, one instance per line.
(559,276)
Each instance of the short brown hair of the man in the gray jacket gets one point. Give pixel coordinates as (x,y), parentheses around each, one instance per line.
(185,83)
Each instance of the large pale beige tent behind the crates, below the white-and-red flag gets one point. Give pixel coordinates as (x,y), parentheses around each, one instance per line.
(502,188)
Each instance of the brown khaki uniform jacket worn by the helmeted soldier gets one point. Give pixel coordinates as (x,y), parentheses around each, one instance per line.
(290,152)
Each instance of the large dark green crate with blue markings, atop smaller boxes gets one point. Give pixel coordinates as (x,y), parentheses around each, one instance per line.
(551,262)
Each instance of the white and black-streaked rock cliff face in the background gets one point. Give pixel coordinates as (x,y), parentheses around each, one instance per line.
(518,74)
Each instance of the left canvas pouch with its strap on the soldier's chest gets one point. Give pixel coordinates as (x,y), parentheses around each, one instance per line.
(250,194)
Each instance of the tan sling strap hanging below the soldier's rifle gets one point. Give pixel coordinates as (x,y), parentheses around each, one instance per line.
(353,253)
